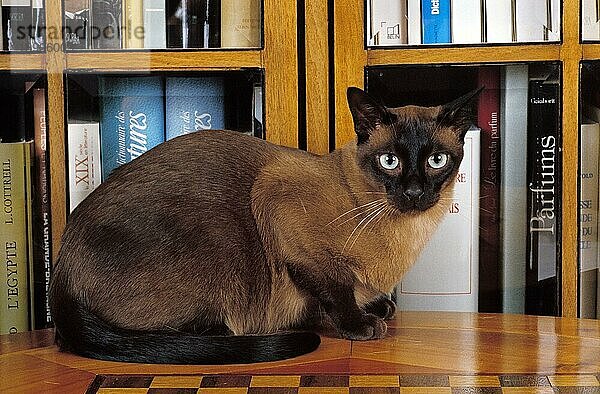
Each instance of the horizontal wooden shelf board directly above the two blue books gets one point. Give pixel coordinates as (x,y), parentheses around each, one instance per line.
(169,60)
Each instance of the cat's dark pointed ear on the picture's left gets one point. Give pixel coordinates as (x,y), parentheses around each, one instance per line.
(366,113)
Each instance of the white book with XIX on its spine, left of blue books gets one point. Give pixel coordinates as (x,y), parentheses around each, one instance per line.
(83,160)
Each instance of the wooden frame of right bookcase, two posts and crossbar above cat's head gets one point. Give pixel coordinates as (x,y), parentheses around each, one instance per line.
(351,58)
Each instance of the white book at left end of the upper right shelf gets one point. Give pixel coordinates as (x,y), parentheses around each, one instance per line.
(387,22)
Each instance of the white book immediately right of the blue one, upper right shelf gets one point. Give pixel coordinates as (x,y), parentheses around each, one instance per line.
(466,21)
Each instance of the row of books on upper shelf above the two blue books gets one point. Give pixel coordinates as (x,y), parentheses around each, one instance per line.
(156,24)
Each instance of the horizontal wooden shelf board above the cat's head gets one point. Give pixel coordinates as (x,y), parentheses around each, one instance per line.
(458,55)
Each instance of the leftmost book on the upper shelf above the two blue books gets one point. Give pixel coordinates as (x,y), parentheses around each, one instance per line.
(77,33)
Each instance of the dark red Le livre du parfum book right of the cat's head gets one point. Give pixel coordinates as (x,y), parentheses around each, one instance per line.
(488,119)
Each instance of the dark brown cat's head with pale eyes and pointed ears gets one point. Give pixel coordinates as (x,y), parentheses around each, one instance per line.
(413,152)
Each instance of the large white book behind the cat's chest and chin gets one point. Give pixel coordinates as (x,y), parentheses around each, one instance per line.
(445,276)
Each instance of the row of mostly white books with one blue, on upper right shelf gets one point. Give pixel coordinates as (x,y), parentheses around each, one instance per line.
(416,22)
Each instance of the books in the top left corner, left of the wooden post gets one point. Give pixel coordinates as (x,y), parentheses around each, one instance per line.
(23,25)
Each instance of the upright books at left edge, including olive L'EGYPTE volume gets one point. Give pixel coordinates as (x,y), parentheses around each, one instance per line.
(25,224)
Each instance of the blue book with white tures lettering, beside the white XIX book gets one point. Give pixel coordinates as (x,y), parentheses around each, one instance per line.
(132,118)
